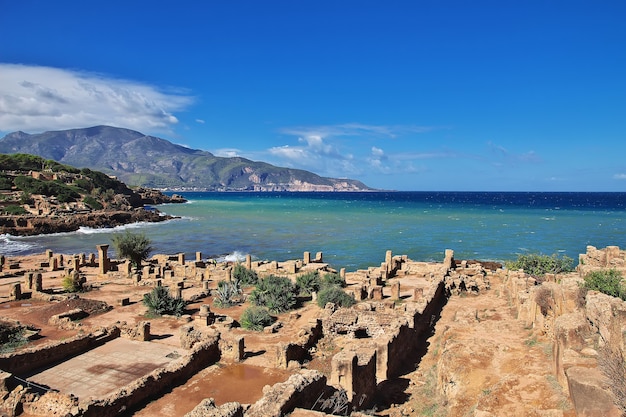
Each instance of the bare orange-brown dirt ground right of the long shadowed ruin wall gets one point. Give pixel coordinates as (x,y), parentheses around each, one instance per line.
(485,361)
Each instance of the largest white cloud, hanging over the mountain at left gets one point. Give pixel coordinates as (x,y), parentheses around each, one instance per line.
(35,99)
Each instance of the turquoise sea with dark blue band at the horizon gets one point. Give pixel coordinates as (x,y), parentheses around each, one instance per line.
(354,230)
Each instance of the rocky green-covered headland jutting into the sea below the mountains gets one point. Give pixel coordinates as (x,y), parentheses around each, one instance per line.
(55,198)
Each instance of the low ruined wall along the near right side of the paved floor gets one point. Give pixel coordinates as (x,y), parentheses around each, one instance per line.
(150,386)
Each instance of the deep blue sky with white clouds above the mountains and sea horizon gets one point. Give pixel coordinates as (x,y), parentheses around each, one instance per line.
(406,95)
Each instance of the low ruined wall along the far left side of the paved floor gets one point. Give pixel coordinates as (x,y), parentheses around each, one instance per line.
(25,361)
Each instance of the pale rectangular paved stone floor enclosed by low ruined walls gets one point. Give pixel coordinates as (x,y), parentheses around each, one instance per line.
(107,368)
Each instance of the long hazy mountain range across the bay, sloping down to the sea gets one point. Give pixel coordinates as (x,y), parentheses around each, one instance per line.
(148,161)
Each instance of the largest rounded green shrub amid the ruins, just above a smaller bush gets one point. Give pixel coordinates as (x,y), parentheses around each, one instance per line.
(278,294)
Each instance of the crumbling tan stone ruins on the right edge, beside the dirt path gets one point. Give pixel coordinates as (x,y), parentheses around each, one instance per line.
(587,328)
